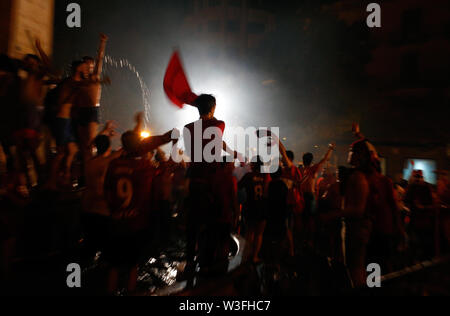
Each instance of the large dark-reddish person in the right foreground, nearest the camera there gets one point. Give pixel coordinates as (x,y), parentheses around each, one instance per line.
(370,213)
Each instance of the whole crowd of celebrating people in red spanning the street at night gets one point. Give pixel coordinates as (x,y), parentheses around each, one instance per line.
(128,196)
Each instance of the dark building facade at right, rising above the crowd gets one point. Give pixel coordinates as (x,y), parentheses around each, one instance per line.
(409,70)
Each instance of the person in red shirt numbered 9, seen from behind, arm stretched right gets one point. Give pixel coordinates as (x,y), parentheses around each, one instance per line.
(128,186)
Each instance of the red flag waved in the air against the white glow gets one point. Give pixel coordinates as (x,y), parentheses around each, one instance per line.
(176,84)
